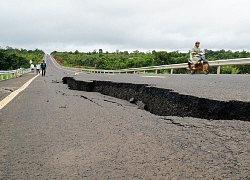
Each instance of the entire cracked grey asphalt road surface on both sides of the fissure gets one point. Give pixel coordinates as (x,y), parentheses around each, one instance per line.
(51,132)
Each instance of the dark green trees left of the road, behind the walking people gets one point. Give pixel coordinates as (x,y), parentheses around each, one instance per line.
(12,58)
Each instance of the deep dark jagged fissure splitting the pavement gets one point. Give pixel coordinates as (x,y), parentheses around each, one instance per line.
(165,102)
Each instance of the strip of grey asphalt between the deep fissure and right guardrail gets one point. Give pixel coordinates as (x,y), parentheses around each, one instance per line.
(217,87)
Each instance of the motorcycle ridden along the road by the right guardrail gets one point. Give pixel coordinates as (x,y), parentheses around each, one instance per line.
(202,64)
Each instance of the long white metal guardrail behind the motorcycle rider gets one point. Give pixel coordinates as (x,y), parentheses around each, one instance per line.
(217,63)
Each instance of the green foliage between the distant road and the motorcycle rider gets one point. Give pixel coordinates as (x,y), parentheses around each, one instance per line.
(118,60)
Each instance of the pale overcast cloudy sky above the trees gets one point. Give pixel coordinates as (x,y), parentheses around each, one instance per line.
(124,25)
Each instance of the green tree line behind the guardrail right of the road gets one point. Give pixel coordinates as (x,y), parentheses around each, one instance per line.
(124,60)
